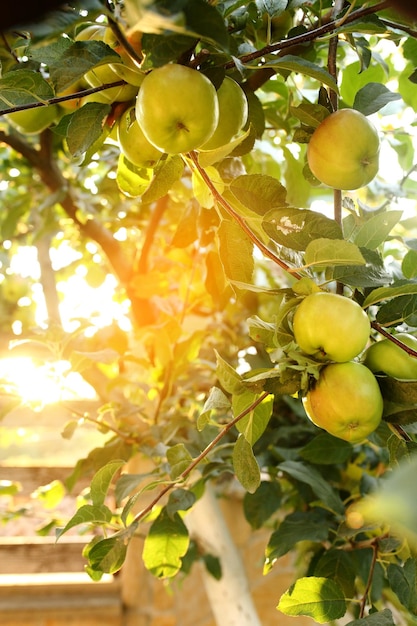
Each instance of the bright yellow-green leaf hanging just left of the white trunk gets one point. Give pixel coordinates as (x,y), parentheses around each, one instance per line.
(165,544)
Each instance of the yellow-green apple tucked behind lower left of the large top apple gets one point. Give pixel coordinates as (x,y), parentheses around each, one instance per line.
(133,142)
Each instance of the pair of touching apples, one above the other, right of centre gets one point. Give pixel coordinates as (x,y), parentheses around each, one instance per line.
(346,400)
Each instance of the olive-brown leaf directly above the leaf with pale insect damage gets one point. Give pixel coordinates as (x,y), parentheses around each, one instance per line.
(259,192)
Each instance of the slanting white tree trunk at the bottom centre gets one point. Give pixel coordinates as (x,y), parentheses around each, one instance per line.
(229,597)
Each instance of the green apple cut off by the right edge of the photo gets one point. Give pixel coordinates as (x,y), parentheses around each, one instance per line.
(385,356)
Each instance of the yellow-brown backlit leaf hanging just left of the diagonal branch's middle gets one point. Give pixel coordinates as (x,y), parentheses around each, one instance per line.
(235,249)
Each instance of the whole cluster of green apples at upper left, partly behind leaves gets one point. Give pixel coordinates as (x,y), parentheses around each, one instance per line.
(172,109)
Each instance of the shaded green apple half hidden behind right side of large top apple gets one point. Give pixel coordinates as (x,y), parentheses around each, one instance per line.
(233,114)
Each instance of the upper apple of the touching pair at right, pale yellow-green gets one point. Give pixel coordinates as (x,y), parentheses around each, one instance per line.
(330,326)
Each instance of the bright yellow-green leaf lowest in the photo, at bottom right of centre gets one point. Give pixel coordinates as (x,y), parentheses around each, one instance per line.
(319,598)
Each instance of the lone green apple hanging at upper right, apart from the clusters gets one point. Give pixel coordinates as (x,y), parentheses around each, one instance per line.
(343,151)
